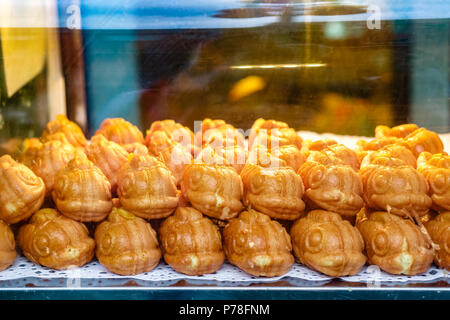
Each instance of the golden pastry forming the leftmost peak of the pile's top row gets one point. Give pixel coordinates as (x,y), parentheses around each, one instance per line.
(72,133)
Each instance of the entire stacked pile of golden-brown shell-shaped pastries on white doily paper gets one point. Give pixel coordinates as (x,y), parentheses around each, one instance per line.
(198,200)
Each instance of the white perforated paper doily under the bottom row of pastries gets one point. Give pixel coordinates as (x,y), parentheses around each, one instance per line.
(23,268)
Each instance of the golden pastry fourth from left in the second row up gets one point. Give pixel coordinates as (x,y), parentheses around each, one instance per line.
(215,190)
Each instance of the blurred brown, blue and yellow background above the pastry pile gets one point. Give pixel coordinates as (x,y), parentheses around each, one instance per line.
(323,66)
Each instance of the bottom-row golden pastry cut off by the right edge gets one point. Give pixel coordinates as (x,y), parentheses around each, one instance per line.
(439,230)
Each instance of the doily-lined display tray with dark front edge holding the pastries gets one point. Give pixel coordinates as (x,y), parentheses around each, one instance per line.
(26,280)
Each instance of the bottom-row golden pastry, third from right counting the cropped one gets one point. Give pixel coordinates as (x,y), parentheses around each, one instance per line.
(325,242)
